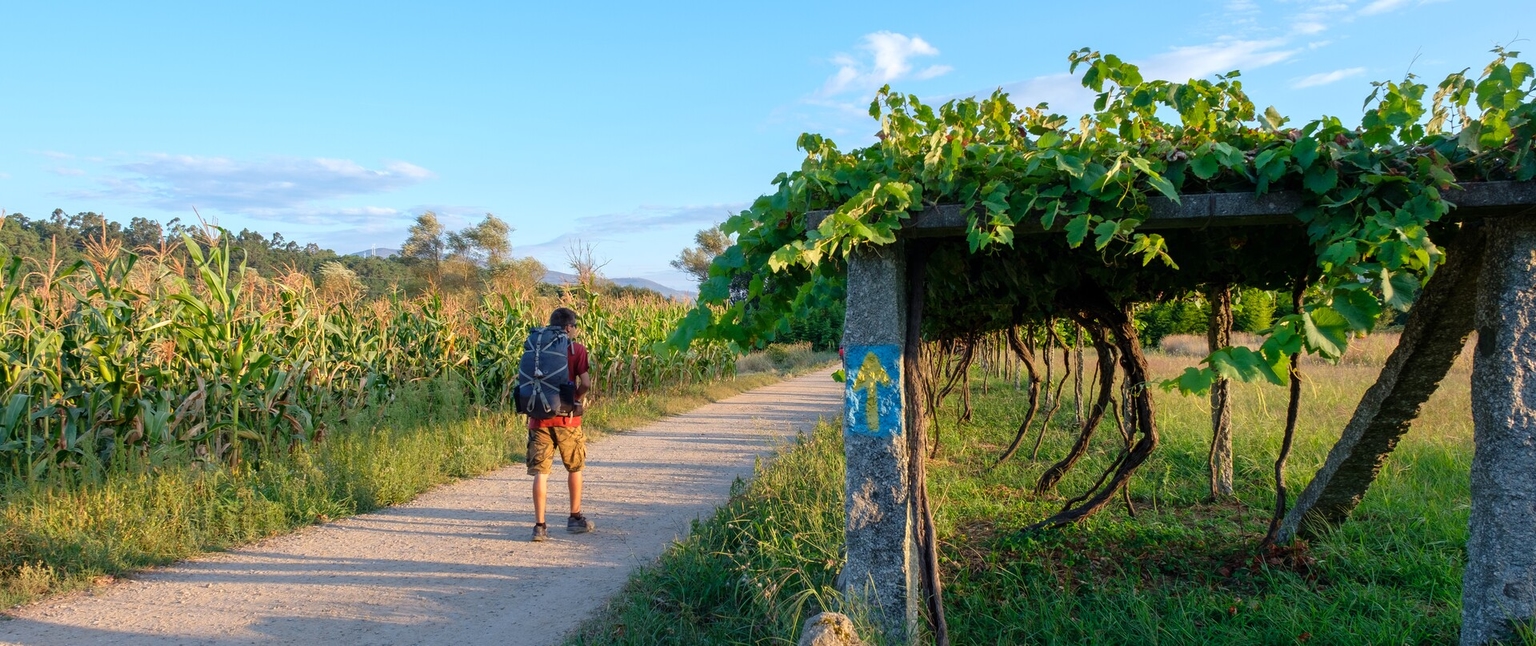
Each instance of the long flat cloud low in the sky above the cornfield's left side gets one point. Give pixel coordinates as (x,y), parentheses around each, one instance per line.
(271,188)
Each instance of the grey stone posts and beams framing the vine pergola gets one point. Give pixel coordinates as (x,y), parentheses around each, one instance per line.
(1488,285)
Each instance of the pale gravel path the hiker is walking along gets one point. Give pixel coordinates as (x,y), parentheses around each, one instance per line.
(455,565)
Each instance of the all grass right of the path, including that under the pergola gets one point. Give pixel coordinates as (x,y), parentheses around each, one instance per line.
(1182,573)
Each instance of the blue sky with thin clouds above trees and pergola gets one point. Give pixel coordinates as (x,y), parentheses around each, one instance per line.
(620,125)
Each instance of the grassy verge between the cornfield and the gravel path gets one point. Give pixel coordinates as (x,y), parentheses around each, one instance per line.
(73,533)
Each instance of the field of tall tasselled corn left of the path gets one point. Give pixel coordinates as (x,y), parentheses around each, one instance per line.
(148,354)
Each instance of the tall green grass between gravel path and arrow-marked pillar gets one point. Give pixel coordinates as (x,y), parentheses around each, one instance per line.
(750,575)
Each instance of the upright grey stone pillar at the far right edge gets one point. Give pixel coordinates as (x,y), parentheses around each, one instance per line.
(1500,585)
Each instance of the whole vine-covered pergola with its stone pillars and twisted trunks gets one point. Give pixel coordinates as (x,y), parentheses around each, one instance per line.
(982,217)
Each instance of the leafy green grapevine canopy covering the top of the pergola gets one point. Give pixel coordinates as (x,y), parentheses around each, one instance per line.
(1371,200)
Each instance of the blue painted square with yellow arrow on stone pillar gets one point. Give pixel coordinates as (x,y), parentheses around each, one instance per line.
(873,391)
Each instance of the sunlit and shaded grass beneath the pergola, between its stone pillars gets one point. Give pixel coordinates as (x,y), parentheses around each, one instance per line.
(1185,570)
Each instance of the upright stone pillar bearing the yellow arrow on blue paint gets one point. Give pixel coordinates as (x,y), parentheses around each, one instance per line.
(882,572)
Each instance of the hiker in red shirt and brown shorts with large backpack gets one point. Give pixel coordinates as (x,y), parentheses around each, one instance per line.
(552,381)
